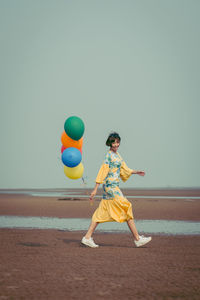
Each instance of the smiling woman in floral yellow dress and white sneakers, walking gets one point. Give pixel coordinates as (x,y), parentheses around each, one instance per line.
(113,206)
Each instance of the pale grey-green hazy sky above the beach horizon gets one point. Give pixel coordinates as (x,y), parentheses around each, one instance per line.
(127,66)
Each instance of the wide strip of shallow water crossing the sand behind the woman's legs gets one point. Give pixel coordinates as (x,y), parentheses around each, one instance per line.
(75,224)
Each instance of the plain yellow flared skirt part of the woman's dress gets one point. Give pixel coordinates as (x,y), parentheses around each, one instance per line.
(118,209)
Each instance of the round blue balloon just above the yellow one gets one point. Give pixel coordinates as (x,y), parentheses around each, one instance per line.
(71,157)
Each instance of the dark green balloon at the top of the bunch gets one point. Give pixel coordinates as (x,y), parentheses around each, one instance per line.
(74,128)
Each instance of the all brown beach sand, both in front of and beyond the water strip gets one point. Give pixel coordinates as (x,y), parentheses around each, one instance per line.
(52,264)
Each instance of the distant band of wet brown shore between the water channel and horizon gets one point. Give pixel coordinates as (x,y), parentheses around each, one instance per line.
(74,206)
